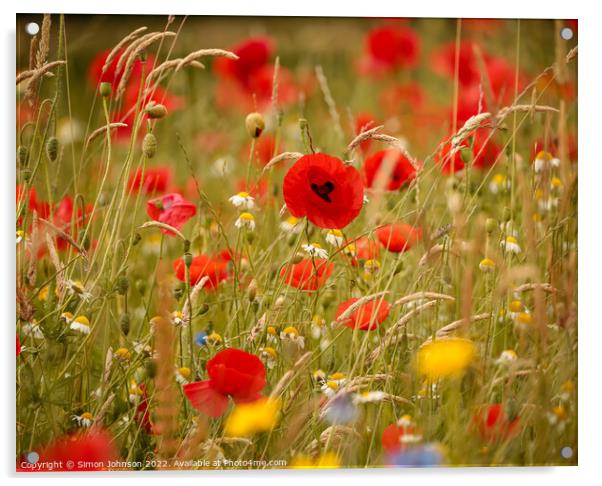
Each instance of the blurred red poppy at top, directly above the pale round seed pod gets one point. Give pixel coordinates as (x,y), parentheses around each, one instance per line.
(253,53)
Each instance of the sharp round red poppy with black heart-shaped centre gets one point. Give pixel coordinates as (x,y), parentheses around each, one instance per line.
(321,187)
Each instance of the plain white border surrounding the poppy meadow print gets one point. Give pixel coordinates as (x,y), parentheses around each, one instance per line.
(590,324)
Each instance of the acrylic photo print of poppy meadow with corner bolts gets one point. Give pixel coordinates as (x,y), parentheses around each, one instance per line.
(257,243)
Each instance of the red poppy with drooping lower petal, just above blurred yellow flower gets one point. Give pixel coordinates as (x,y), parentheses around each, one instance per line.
(232,373)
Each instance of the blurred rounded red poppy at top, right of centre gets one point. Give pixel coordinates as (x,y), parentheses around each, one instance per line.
(388,48)
